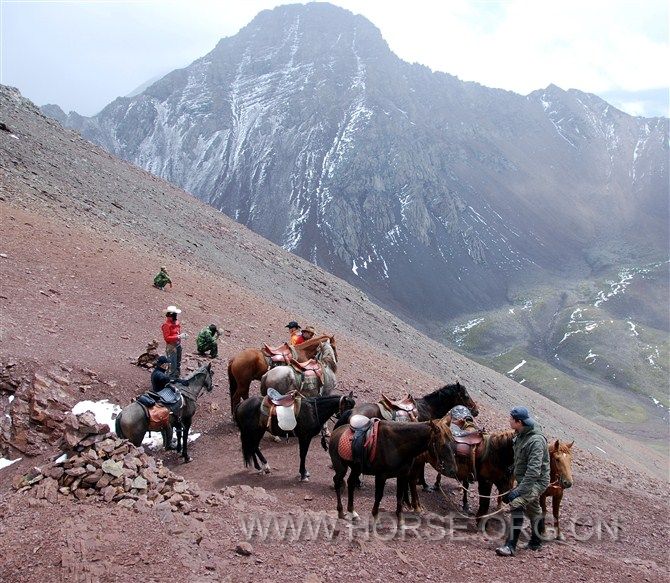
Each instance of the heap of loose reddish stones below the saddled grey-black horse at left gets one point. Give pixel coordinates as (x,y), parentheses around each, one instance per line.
(99,465)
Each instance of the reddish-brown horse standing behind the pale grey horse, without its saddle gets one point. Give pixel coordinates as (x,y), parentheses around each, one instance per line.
(251,364)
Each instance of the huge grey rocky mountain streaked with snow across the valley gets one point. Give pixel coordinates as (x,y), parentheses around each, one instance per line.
(429,193)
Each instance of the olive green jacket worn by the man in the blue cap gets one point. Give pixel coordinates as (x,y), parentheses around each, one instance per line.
(531,461)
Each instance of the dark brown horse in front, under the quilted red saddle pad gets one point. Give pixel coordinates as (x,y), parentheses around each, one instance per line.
(398,444)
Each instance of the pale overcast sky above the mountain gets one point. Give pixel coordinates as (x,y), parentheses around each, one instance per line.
(82,55)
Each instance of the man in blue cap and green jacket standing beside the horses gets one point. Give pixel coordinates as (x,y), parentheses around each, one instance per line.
(531,469)
